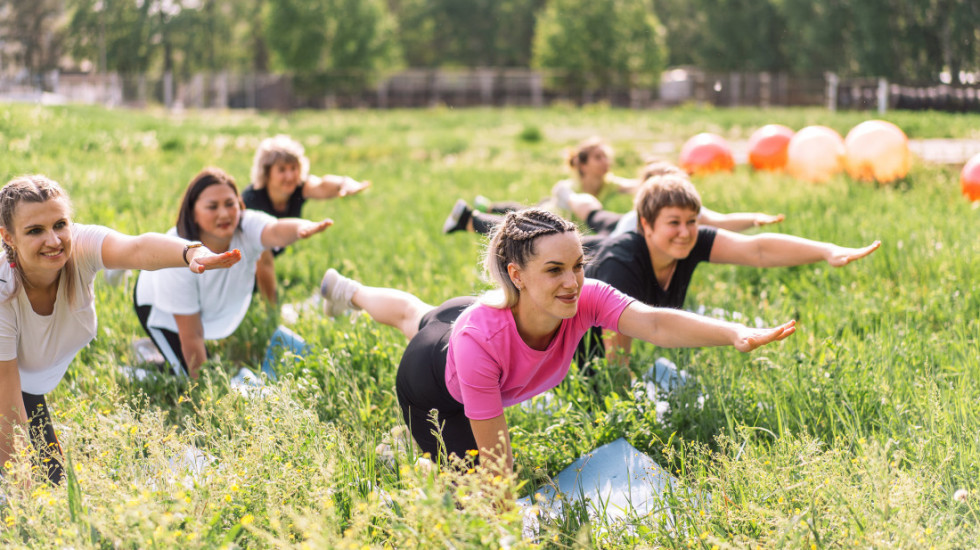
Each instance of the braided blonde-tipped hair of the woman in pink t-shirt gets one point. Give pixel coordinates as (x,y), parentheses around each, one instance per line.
(512,242)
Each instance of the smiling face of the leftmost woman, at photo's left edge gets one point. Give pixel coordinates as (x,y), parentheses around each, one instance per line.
(41,235)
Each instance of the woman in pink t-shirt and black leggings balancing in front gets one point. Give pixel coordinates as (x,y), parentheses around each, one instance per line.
(468,359)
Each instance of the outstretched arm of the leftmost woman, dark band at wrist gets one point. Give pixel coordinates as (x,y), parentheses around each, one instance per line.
(151,251)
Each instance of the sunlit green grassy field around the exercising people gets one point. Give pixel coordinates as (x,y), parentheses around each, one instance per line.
(855,432)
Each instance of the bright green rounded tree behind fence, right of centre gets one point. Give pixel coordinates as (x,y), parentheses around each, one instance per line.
(600,45)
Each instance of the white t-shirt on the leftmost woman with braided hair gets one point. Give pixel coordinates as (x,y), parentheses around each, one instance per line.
(44,345)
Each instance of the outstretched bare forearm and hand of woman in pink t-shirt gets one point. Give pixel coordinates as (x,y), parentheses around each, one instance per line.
(671,328)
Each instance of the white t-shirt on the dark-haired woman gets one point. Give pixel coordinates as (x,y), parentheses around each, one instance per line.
(220,296)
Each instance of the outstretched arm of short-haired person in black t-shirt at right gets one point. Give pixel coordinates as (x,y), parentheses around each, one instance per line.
(776,250)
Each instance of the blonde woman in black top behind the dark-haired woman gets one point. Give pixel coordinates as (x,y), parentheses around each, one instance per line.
(280,184)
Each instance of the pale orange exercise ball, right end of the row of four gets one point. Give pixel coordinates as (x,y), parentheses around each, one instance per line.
(878,151)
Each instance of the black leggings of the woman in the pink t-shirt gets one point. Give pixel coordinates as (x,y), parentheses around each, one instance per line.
(421,386)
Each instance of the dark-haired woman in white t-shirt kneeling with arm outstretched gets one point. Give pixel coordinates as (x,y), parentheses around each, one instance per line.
(180,313)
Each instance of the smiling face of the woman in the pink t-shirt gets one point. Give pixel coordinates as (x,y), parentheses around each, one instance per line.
(551,281)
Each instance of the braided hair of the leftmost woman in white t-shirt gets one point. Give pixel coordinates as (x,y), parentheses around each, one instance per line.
(37,189)
